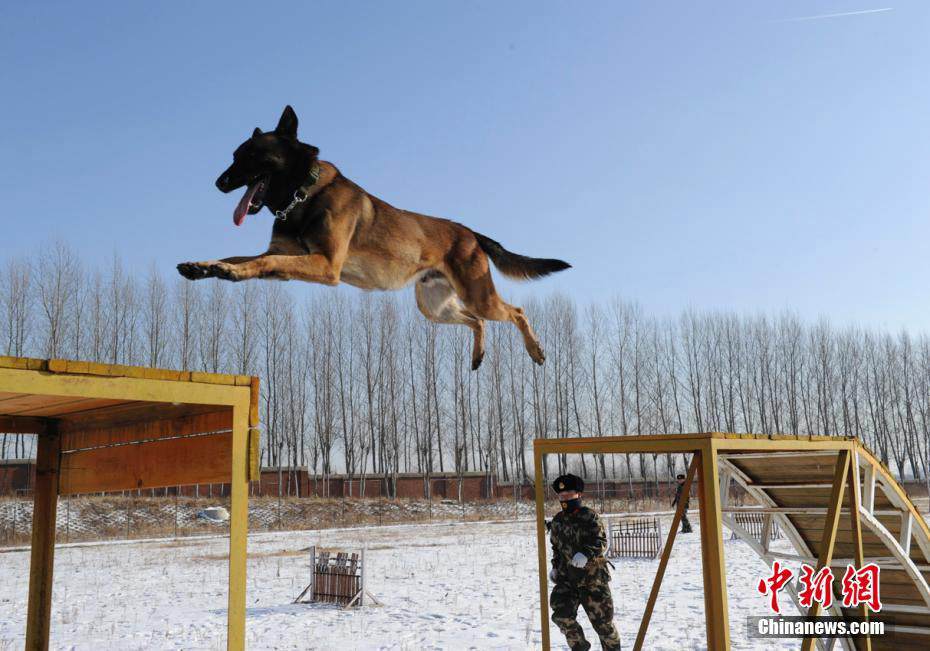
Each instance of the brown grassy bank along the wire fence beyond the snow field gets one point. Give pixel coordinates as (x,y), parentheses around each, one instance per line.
(85,518)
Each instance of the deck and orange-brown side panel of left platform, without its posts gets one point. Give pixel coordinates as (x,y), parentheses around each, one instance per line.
(124,427)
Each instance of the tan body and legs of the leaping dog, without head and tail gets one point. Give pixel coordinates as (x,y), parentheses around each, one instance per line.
(346,235)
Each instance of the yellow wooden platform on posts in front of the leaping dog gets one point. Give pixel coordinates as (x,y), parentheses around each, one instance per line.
(104,428)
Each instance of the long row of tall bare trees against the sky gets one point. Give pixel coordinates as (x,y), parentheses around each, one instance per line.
(360,383)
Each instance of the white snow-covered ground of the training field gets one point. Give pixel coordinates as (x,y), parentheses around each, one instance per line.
(443,586)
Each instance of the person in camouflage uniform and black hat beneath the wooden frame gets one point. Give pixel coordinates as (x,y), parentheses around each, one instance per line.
(579,569)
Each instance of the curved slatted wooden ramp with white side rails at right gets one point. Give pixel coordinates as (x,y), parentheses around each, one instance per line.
(795,490)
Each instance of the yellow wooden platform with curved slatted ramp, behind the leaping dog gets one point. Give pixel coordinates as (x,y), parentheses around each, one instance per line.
(834,501)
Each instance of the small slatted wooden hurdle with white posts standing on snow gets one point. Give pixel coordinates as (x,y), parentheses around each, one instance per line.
(336,579)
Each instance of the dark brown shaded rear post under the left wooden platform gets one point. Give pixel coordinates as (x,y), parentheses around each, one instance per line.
(45,508)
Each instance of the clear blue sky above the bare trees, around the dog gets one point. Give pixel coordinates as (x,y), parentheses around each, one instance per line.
(709,155)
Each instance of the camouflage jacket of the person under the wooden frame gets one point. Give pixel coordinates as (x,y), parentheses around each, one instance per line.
(579,531)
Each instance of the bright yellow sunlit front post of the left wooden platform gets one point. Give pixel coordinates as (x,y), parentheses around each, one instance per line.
(238,527)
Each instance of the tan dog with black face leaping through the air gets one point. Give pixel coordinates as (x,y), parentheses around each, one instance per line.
(329,230)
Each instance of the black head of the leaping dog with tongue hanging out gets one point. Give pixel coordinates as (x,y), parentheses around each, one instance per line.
(271,165)
